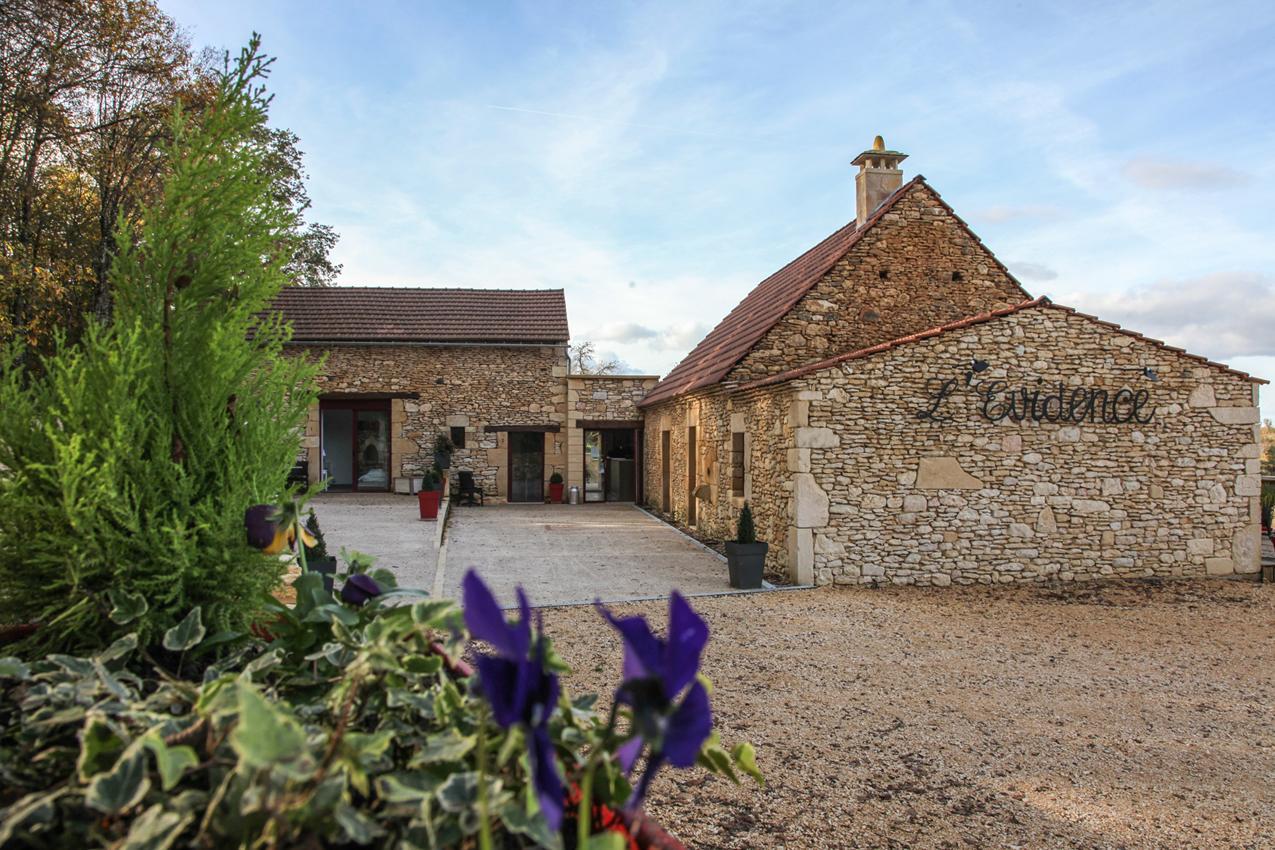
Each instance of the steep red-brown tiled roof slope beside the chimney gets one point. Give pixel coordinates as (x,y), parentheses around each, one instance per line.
(769,301)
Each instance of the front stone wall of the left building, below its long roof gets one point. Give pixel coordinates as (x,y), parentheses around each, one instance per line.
(463,387)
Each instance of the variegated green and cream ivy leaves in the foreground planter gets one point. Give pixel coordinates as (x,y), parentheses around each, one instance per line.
(347,726)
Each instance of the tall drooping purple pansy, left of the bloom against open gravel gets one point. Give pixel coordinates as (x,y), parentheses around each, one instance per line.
(517,685)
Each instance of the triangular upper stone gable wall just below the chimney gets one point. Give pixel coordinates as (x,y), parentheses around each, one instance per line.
(898,280)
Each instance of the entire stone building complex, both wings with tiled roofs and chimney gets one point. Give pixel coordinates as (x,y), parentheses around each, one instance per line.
(893,405)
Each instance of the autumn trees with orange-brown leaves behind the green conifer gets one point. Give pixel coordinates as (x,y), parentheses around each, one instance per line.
(87,90)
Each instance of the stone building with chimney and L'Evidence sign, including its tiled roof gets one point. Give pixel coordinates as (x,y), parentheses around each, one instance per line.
(897,408)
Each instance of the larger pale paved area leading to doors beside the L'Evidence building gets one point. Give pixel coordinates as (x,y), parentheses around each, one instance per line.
(577,554)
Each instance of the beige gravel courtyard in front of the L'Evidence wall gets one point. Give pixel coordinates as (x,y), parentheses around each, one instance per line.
(1115,716)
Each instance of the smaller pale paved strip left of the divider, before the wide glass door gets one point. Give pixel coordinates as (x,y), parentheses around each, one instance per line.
(383,526)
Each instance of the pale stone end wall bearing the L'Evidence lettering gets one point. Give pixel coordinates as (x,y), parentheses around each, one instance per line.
(894,498)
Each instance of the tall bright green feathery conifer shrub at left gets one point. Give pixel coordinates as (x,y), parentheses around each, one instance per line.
(127,462)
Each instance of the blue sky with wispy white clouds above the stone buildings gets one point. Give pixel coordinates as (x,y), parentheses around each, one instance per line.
(659,160)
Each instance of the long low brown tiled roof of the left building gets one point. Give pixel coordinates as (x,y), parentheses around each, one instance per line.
(424,315)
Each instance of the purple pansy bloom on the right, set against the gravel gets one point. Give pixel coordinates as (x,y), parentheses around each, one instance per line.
(657,672)
